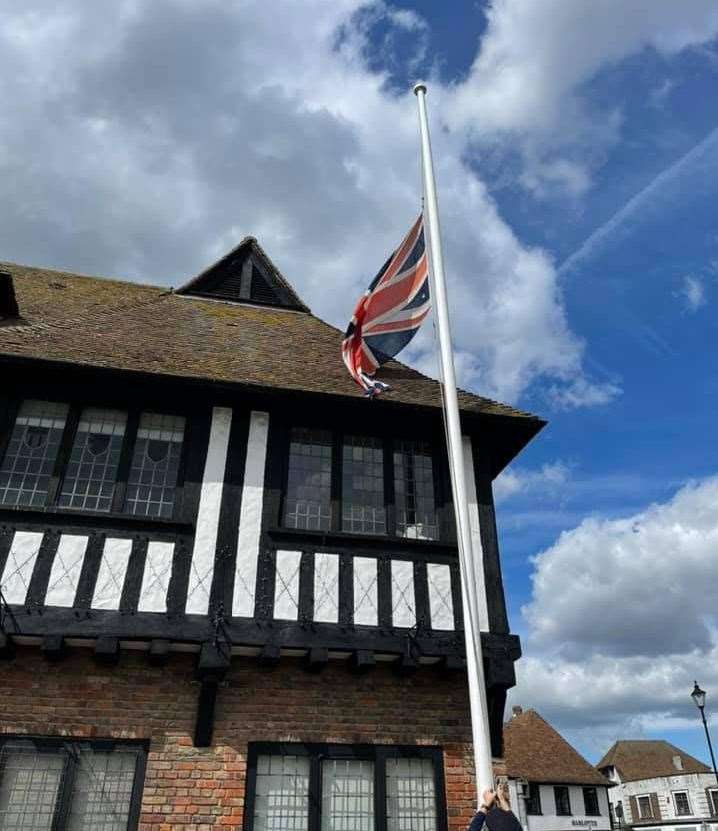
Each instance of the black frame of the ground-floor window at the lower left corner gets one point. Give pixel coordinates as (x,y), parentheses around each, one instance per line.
(64,747)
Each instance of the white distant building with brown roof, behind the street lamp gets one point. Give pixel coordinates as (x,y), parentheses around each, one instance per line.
(659,786)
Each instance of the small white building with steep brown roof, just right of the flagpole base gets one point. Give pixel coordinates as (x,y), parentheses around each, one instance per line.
(553,787)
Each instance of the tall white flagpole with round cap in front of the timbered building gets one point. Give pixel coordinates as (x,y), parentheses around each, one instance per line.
(467,563)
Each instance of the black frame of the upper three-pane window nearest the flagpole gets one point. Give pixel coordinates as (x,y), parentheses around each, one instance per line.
(388,439)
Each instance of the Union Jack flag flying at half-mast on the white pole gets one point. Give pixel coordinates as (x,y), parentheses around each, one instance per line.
(390,311)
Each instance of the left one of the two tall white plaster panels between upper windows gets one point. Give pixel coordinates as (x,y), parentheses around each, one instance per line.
(205,541)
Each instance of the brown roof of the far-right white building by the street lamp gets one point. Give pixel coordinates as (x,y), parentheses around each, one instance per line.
(649,758)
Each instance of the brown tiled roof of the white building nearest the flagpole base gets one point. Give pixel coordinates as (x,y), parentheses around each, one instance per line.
(536,752)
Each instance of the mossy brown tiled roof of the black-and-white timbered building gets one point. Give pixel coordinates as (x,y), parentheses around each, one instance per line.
(127,326)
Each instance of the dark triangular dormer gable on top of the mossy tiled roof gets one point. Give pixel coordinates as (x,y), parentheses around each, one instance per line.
(245,275)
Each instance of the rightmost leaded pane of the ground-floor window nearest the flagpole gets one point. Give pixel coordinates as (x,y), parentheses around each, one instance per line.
(410,795)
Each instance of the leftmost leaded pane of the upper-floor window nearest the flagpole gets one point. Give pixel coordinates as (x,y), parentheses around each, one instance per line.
(308,497)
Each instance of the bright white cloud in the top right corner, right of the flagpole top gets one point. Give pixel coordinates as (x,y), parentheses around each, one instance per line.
(526,80)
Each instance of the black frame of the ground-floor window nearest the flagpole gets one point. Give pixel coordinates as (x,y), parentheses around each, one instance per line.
(375,753)
